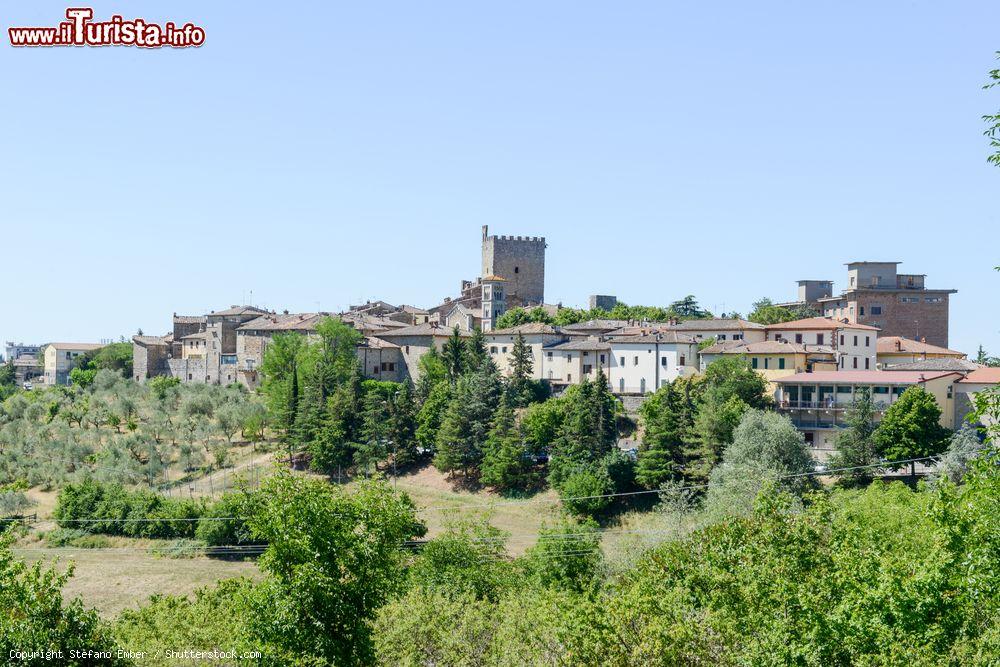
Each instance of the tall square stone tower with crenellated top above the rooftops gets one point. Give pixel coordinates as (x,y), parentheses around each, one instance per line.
(520,261)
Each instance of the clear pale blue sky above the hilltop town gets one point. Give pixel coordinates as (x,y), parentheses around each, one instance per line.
(323,153)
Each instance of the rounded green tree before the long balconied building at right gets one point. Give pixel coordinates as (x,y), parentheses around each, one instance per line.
(911,428)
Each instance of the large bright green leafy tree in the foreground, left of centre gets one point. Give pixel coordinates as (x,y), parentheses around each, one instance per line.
(333,559)
